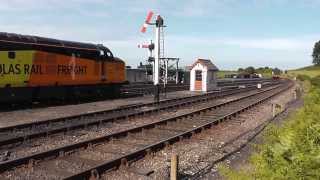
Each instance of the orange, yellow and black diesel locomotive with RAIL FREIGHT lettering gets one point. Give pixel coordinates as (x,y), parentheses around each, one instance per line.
(35,68)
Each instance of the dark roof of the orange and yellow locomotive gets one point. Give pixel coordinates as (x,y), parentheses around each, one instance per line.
(21,42)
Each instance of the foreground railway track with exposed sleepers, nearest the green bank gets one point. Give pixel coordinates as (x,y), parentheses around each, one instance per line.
(172,129)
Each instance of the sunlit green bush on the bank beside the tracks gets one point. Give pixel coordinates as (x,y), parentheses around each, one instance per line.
(291,151)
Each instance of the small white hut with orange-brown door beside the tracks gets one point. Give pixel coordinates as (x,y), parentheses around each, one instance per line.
(203,76)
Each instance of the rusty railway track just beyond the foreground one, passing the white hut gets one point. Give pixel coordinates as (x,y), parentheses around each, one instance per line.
(14,135)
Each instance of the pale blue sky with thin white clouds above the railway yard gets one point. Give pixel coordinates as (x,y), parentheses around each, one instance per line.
(232,33)
